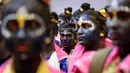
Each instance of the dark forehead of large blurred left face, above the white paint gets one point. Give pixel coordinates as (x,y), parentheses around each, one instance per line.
(32,6)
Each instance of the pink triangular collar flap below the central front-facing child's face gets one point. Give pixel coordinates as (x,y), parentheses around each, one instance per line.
(61,54)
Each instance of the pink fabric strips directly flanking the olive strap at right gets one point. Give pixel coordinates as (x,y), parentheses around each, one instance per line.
(83,64)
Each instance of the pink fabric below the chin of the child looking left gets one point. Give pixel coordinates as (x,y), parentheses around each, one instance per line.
(77,53)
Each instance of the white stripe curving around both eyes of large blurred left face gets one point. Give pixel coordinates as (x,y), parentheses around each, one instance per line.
(27,16)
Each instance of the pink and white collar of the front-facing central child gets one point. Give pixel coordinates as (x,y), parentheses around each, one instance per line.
(58,55)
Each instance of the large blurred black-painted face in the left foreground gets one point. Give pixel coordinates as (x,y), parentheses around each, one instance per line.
(24,28)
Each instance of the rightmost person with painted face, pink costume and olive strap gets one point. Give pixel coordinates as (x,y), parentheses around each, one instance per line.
(117,58)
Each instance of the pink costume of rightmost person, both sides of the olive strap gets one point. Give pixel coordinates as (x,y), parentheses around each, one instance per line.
(83,64)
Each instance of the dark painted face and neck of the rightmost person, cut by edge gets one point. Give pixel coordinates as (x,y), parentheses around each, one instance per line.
(119,28)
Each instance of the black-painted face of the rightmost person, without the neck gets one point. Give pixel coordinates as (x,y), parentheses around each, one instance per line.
(118,25)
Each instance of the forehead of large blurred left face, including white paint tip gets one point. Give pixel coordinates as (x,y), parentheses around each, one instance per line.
(28,7)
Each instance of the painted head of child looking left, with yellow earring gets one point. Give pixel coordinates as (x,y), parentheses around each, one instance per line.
(92,32)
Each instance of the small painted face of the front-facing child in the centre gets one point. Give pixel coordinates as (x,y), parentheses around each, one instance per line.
(67,37)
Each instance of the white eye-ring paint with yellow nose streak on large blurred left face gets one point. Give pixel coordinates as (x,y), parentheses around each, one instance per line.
(23,14)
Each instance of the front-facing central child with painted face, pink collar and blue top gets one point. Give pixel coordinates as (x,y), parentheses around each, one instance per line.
(67,38)
